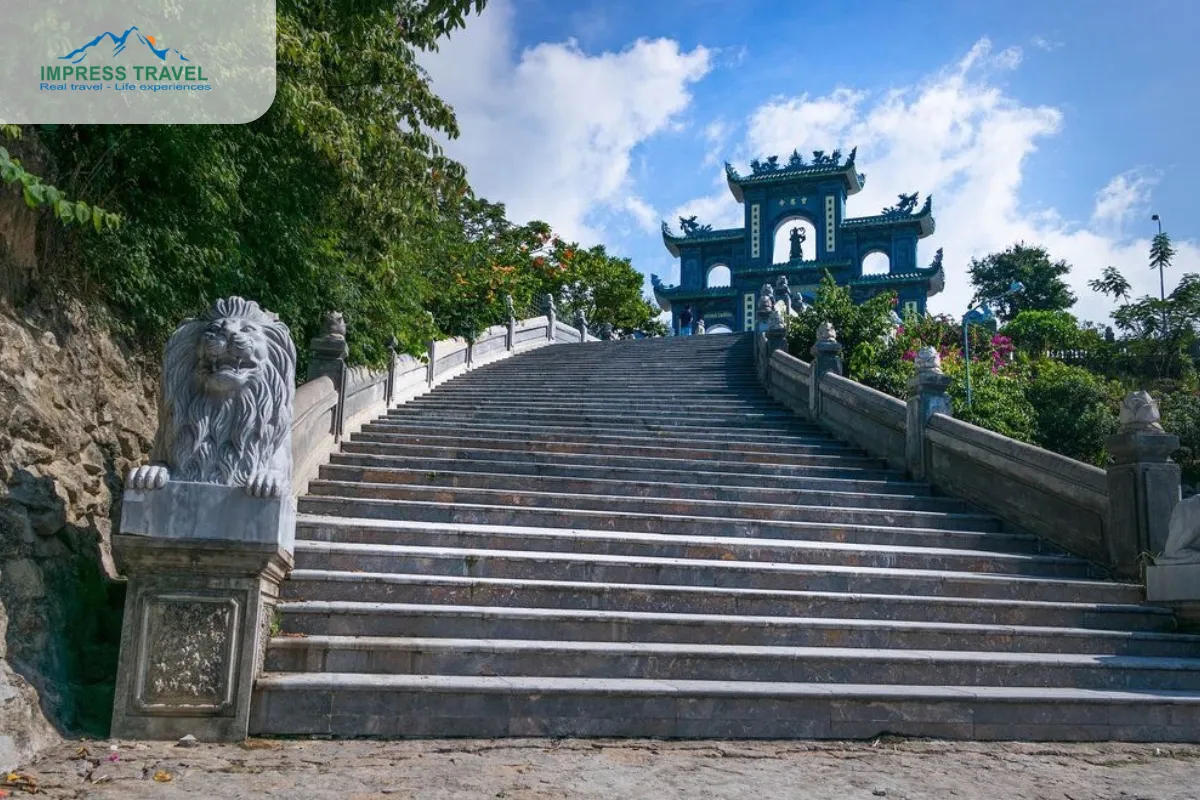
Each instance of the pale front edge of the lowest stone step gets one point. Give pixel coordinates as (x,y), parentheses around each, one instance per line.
(641,687)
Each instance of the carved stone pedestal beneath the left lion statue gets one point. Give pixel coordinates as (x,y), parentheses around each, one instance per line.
(205,566)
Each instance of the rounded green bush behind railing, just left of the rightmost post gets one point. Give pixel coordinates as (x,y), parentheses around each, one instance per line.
(1075,412)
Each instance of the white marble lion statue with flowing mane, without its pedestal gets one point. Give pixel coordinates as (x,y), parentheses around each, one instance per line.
(225,416)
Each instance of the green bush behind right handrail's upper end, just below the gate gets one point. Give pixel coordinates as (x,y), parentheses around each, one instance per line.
(860,327)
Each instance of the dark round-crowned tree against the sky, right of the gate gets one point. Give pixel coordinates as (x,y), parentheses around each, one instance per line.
(1045,287)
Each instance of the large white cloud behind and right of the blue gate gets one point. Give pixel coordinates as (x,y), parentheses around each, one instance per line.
(962,139)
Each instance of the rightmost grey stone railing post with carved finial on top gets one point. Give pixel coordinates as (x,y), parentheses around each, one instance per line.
(1144,485)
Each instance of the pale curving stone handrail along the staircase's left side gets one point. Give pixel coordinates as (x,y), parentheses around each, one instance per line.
(334,406)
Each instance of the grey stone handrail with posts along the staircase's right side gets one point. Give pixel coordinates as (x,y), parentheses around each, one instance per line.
(1109,518)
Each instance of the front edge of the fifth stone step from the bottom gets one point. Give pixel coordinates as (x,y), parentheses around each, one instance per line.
(410,551)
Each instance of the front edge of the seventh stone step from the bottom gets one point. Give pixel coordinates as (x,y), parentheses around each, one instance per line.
(589,514)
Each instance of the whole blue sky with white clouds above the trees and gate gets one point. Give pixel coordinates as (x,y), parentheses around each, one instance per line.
(1060,123)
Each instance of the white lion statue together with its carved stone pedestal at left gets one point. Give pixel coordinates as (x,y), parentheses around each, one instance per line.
(208,527)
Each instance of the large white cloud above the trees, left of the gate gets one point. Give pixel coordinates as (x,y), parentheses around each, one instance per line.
(550,131)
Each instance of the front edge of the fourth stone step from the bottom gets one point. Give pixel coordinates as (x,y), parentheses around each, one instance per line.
(593,587)
